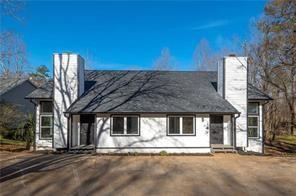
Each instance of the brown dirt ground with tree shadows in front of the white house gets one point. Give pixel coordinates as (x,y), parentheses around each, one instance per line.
(222,174)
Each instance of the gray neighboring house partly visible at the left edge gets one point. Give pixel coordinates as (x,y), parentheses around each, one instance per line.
(14,90)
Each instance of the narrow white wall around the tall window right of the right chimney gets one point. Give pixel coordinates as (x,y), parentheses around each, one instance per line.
(256,144)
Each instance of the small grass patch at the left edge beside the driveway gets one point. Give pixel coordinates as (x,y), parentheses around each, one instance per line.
(11,145)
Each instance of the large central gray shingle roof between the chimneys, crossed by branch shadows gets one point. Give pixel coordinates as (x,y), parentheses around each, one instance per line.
(151,91)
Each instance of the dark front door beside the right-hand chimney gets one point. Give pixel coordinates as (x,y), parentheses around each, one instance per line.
(216,129)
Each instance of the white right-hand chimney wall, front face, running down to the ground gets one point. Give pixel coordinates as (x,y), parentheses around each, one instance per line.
(235,73)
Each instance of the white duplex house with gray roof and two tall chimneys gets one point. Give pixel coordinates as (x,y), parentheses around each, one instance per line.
(149,111)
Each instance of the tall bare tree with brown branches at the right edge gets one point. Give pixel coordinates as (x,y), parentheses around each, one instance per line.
(273,61)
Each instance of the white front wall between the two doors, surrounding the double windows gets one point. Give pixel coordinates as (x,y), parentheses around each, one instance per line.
(153,137)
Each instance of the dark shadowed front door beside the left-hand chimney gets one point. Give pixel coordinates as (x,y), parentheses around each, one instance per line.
(87,122)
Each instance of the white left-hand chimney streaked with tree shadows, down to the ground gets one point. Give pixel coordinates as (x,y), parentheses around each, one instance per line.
(68,79)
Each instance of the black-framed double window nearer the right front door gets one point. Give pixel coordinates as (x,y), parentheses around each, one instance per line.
(181,125)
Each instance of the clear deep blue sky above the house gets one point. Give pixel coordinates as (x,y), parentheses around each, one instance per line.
(131,34)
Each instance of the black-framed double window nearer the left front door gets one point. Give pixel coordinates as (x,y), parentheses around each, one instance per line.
(125,125)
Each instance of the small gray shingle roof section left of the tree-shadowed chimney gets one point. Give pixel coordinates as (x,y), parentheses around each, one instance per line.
(43,92)
